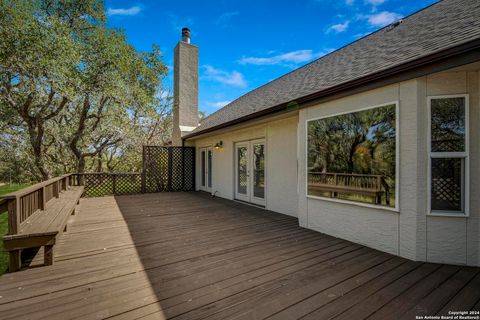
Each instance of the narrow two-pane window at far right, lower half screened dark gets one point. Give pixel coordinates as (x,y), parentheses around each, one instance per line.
(448,154)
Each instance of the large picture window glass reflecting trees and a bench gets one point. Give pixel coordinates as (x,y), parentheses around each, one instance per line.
(353,157)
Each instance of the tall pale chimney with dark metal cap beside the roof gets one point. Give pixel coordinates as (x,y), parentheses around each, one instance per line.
(185,88)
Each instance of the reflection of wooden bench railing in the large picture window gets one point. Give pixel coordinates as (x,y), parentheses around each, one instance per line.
(363,184)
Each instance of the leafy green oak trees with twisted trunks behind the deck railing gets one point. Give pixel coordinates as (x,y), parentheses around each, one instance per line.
(74,94)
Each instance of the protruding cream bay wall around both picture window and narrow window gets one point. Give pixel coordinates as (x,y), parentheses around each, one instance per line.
(411,233)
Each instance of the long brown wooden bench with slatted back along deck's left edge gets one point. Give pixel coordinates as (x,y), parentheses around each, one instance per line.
(37,216)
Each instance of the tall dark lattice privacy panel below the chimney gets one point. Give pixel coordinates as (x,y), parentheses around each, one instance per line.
(169,168)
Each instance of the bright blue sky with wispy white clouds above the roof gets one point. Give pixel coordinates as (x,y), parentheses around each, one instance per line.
(245,44)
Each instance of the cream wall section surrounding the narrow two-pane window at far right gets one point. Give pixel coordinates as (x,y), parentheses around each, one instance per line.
(456,239)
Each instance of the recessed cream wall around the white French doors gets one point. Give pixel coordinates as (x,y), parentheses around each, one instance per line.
(281,165)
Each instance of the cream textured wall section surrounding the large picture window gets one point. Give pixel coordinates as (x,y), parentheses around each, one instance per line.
(376,228)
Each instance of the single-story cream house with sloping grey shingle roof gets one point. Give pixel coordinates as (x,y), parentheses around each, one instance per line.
(377,143)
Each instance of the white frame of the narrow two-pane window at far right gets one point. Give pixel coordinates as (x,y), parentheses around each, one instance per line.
(465,155)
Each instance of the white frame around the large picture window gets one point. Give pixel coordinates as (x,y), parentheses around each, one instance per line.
(397,158)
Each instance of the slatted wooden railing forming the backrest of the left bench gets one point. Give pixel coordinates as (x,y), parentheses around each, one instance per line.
(25,202)
